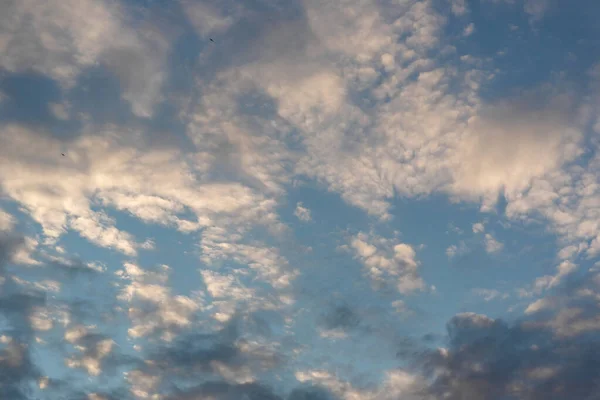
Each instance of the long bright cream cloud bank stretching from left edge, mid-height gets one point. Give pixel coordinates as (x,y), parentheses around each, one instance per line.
(152,184)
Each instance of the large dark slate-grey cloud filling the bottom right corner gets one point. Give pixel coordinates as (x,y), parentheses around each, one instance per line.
(552,355)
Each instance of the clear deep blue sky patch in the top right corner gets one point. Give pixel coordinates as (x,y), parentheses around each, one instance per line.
(556,49)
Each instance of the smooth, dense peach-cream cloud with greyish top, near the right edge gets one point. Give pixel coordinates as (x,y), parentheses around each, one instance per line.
(497,151)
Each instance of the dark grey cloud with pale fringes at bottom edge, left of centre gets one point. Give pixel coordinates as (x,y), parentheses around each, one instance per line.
(224,358)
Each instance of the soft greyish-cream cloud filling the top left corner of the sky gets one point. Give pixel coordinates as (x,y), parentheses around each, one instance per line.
(61,39)
